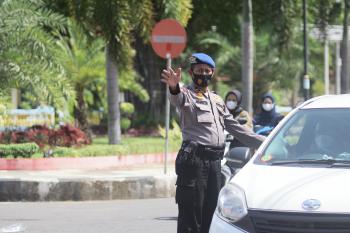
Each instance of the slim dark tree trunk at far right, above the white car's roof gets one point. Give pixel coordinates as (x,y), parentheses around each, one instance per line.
(345,50)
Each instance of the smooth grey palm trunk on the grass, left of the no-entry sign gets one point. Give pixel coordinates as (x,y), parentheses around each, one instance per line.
(114,133)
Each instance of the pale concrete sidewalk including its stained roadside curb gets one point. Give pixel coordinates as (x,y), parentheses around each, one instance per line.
(147,181)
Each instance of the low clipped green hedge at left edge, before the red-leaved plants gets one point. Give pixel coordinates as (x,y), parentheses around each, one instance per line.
(25,150)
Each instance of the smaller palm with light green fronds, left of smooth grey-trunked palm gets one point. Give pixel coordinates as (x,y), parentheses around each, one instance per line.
(83,61)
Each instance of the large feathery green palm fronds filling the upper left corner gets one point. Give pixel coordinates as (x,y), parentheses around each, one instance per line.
(26,51)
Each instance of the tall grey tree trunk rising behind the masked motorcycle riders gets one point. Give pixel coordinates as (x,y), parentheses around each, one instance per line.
(247,56)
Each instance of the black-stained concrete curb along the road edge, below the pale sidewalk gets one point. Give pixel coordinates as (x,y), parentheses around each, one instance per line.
(87,189)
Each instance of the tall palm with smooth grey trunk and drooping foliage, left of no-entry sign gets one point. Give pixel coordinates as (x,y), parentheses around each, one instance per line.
(114,21)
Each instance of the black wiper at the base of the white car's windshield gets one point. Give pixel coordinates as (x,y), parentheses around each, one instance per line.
(330,162)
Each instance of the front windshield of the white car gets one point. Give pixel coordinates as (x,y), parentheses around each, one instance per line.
(309,137)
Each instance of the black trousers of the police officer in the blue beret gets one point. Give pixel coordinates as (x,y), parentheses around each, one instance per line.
(197,203)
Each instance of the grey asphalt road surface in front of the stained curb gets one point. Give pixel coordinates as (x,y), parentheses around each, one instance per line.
(121,216)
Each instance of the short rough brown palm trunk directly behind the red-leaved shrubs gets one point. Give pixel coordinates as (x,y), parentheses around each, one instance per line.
(80,111)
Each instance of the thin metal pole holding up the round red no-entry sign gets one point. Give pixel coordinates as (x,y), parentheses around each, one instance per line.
(167,115)
